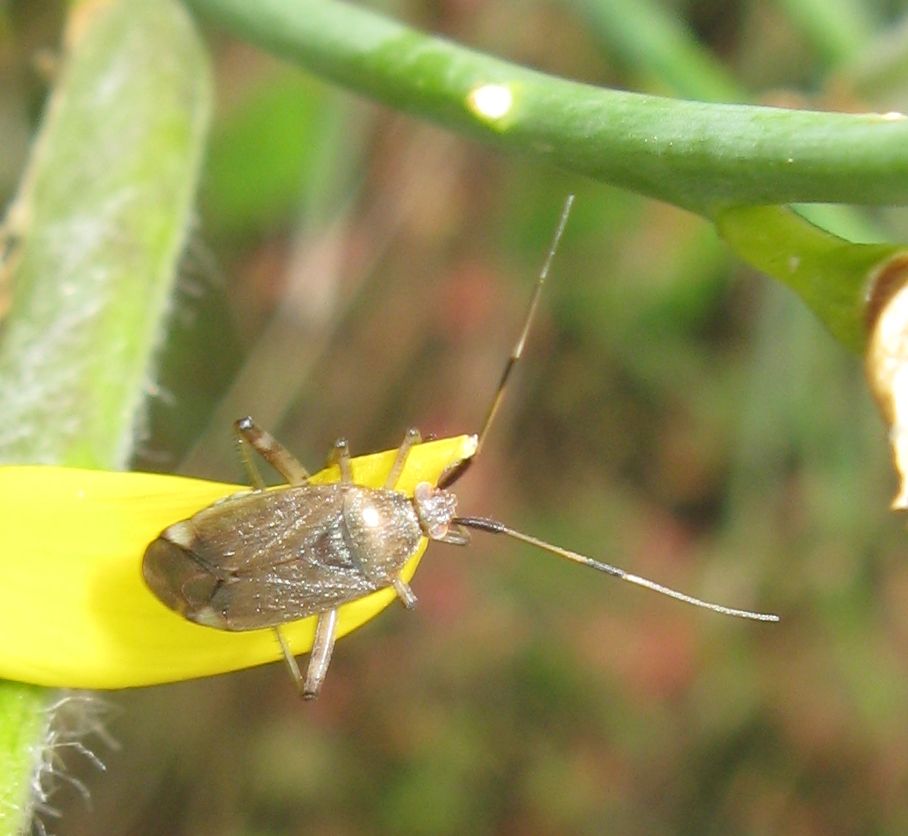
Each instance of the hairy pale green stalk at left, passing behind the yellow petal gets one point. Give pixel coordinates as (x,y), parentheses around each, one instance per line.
(93,236)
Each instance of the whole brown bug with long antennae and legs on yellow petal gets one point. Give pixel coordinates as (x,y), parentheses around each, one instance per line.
(264,558)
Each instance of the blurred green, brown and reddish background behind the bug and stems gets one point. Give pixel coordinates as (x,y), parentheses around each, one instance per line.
(354,272)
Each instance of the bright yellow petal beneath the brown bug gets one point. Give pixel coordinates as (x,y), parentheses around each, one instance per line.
(74,610)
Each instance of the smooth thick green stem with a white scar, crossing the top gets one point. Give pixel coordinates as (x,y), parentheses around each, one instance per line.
(702,157)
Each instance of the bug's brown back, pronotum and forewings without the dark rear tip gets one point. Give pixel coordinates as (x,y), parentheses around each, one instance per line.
(274,557)
